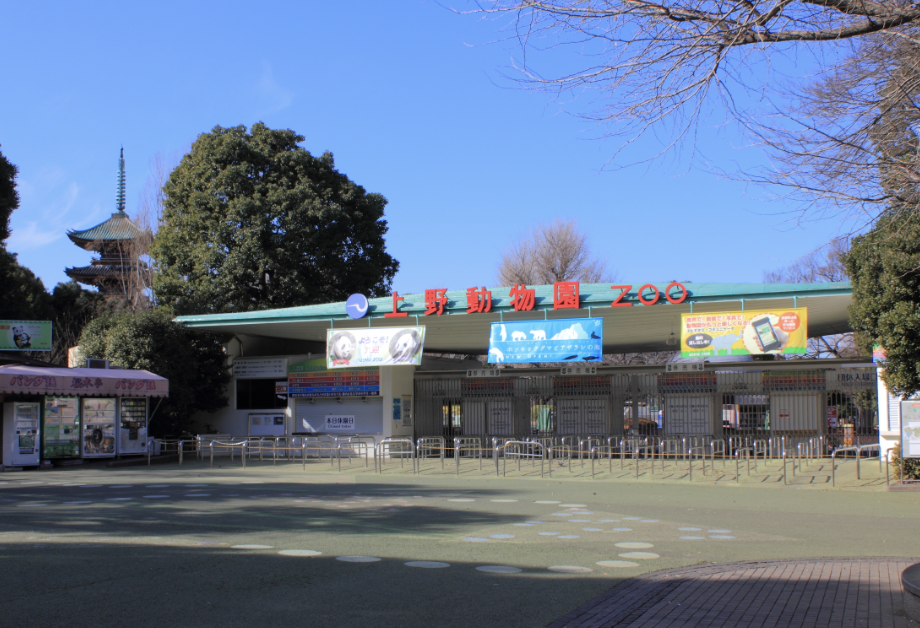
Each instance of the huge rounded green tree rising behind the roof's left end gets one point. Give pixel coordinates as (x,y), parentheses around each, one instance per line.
(251,220)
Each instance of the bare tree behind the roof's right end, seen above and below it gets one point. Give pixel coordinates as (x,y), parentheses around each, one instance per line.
(820,266)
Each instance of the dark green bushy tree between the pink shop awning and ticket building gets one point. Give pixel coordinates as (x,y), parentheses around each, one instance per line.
(193,362)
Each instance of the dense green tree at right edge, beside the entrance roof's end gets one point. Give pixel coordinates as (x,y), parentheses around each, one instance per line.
(884,267)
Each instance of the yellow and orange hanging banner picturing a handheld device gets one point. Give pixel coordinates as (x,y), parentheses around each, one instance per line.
(753,332)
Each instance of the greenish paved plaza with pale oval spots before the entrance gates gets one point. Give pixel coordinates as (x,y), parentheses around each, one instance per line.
(276,545)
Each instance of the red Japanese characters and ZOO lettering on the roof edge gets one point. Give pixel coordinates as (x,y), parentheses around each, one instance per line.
(565,296)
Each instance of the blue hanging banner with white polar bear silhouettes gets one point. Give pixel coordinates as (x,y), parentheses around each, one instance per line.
(563,340)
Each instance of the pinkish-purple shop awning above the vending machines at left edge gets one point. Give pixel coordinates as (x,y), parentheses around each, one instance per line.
(35,380)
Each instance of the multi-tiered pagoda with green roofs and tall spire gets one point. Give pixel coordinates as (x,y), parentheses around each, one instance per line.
(119,243)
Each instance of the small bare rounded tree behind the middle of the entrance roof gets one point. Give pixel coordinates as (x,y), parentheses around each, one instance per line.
(550,253)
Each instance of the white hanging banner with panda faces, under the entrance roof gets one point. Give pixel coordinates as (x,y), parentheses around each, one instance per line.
(348,348)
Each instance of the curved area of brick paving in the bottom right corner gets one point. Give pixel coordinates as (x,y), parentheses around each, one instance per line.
(807,593)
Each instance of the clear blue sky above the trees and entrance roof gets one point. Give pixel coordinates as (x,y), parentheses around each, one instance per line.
(410,99)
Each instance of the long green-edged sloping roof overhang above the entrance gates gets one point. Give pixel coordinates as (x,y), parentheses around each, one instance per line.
(634,328)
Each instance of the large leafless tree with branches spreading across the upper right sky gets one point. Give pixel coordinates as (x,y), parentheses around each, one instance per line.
(665,67)
